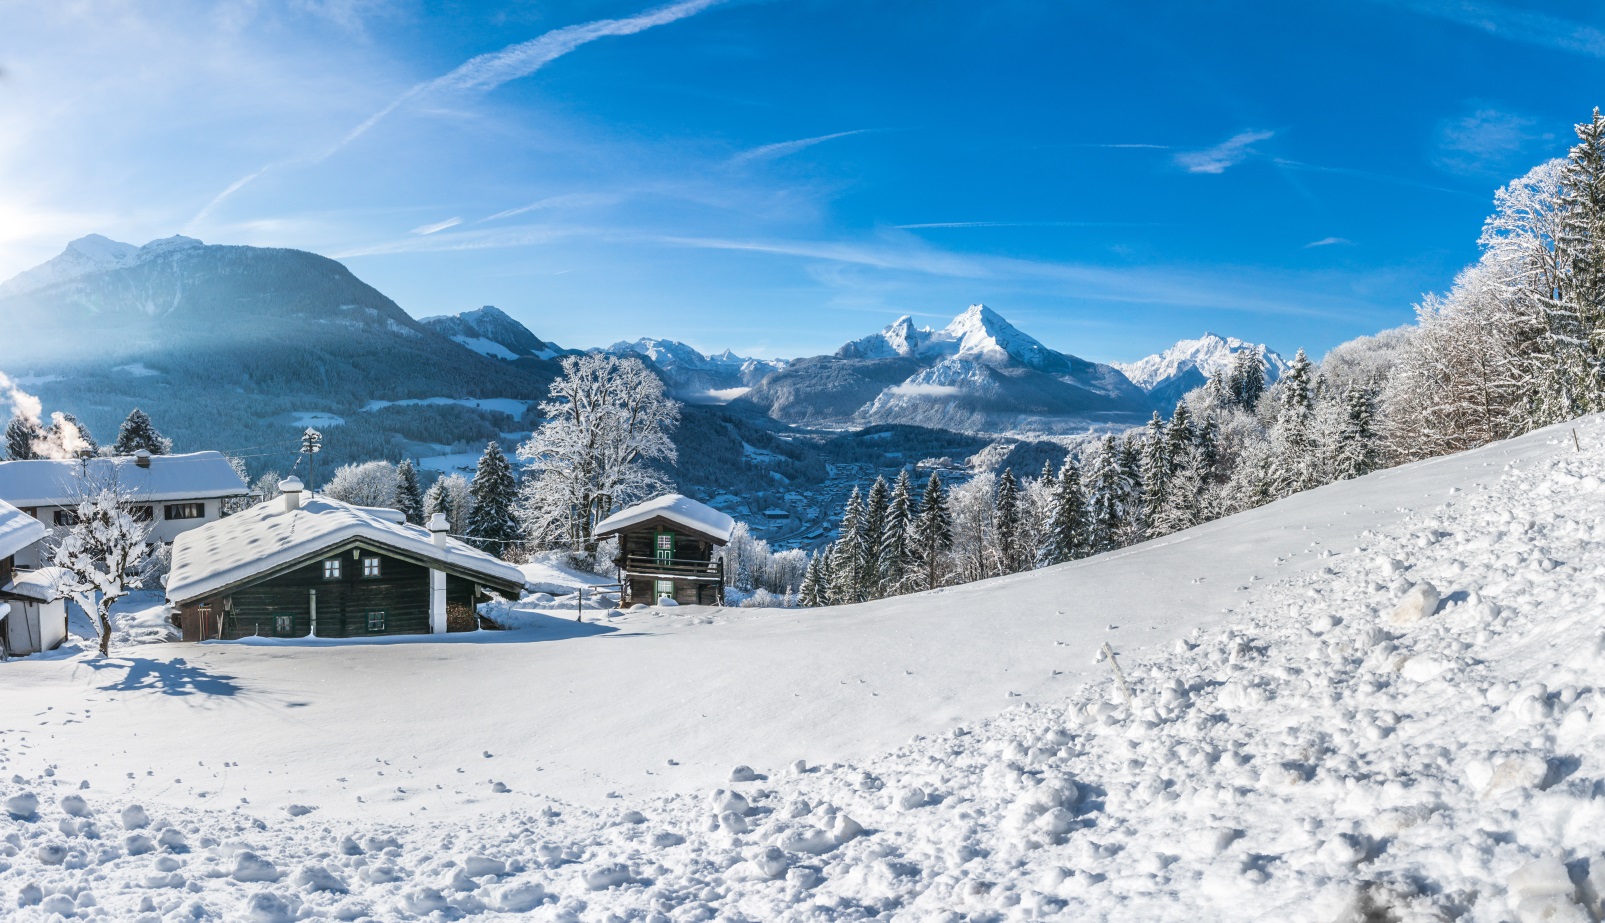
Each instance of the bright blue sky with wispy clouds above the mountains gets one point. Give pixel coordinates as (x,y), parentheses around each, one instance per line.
(784,176)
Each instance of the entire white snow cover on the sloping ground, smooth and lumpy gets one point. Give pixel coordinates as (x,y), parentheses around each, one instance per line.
(1346,744)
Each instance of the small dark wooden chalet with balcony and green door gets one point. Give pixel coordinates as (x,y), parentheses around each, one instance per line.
(667,550)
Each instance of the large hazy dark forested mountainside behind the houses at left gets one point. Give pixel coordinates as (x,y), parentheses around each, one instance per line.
(235,348)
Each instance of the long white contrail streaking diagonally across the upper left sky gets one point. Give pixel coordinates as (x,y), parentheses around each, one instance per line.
(489,71)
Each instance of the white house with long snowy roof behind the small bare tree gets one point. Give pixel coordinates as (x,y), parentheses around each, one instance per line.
(176,494)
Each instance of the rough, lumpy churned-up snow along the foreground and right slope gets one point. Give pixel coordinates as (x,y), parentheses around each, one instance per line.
(1341,750)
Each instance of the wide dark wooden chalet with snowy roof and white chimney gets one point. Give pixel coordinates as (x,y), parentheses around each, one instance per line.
(328,569)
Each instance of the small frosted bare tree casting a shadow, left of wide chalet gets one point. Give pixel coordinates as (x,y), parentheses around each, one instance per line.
(104,550)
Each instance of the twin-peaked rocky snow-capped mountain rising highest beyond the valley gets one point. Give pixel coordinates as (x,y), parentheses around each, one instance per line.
(977,375)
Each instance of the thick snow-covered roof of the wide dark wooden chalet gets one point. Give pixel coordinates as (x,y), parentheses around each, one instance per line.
(269,537)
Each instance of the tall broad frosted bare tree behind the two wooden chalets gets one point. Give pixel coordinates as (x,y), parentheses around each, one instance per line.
(607,421)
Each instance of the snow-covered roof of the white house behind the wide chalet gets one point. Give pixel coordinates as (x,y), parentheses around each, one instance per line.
(54,482)
